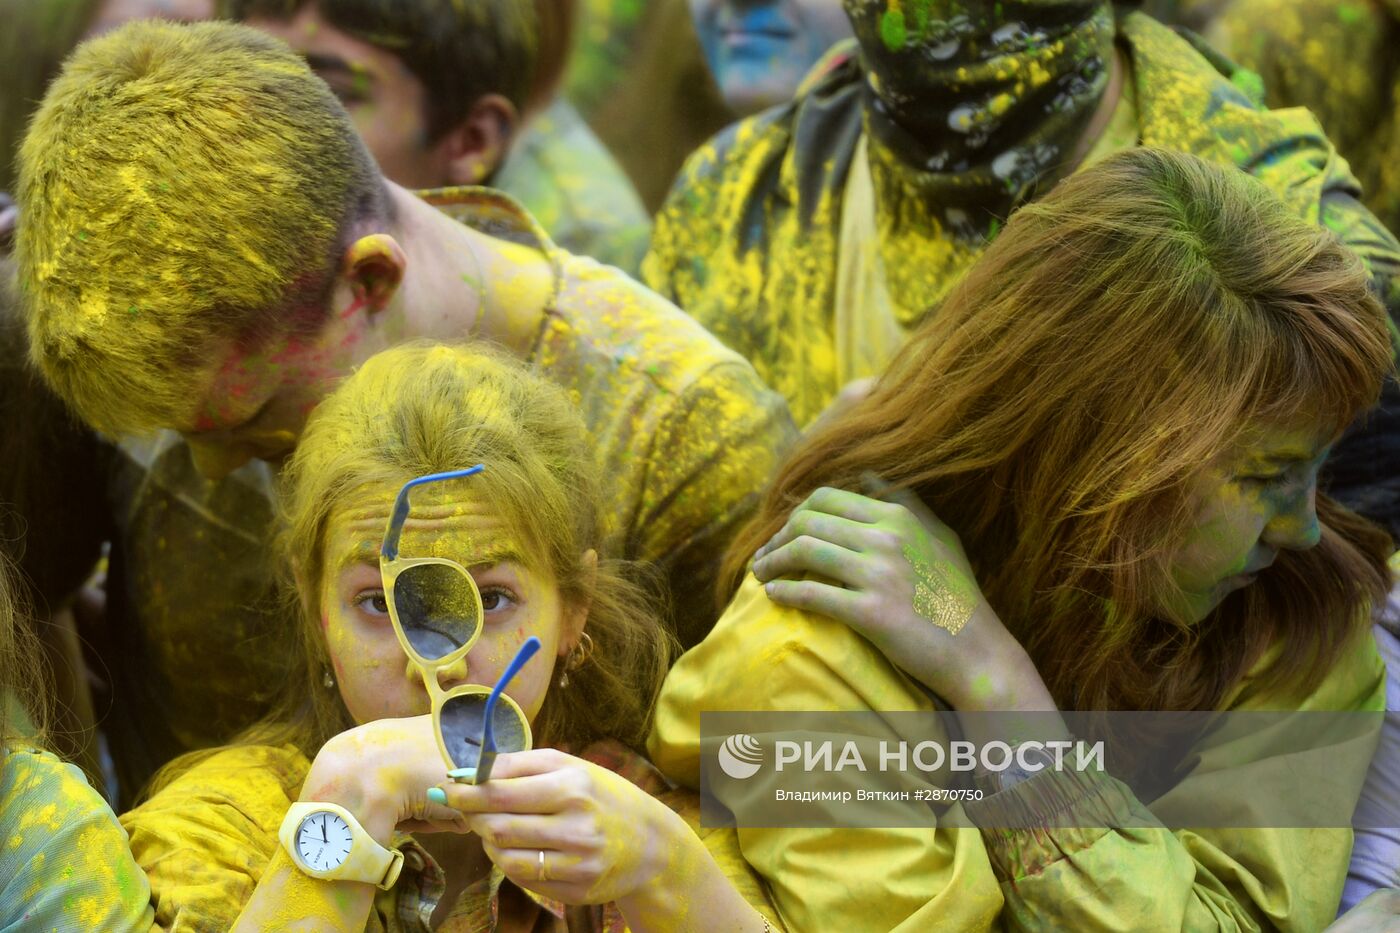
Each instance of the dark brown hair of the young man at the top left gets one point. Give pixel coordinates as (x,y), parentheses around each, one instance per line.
(458,50)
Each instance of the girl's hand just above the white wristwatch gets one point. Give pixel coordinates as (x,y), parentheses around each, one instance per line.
(381,773)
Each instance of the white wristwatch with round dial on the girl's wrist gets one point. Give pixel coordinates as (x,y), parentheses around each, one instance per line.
(325,841)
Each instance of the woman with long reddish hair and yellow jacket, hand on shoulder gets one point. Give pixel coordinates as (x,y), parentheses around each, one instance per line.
(1122,413)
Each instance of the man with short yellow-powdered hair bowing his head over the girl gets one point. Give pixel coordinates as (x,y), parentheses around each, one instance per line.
(208,247)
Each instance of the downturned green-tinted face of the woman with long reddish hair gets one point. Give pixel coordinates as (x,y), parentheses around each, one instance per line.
(1251,505)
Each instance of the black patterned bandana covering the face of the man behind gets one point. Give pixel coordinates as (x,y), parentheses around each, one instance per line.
(986,97)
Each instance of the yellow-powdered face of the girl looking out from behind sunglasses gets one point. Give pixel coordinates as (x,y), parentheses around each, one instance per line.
(374,676)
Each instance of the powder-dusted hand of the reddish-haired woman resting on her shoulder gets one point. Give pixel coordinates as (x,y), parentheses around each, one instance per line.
(899,576)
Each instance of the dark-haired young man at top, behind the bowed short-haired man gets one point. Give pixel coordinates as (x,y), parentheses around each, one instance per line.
(449,93)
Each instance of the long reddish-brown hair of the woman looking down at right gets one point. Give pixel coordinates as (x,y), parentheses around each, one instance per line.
(1116,338)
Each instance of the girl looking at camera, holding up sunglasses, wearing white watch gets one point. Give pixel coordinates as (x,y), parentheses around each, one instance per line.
(339,813)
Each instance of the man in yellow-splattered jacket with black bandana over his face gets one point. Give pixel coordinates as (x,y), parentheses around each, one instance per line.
(811,239)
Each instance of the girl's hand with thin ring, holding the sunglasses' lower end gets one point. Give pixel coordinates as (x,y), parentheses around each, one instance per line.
(603,838)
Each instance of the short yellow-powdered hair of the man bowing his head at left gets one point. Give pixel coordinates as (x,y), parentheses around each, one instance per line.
(183,187)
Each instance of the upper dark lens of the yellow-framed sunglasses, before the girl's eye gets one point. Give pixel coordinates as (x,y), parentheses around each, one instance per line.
(439,609)
